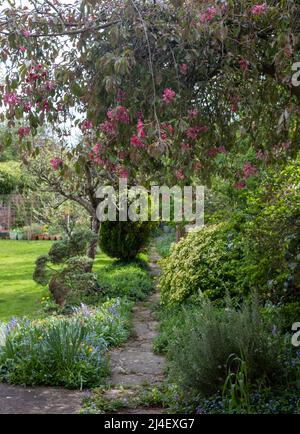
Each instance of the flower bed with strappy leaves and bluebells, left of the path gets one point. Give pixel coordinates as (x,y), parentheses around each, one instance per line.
(64,351)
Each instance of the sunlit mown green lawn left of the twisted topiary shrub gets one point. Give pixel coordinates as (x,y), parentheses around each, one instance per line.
(19,294)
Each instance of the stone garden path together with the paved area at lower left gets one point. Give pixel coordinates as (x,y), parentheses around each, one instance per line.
(132,365)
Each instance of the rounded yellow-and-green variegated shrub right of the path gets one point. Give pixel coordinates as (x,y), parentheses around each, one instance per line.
(205,261)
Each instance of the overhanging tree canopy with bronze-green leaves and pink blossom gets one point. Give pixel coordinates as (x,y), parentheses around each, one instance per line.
(164,91)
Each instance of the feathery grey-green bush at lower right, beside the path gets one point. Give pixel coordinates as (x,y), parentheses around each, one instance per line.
(200,349)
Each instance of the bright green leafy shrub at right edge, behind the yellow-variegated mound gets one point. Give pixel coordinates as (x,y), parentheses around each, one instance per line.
(272,236)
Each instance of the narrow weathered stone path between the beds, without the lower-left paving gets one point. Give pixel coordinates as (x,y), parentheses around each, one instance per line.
(135,365)
